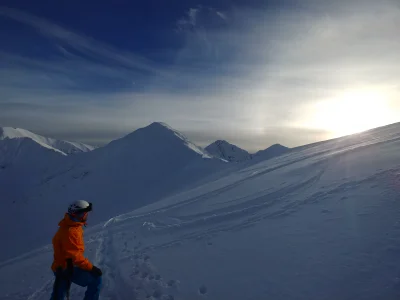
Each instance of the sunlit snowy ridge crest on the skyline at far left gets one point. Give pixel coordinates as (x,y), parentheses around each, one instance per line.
(57,145)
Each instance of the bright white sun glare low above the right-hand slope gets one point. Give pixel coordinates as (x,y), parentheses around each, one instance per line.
(352,112)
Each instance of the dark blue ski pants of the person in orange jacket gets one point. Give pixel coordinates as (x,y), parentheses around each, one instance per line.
(82,278)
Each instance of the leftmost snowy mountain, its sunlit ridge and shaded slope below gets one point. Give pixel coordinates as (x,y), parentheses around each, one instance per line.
(26,157)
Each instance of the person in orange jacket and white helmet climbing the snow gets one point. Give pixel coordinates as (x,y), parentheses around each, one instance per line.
(70,265)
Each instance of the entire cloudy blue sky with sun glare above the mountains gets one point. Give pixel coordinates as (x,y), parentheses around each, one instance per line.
(254,73)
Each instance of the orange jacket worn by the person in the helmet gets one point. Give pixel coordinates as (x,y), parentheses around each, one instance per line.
(68,243)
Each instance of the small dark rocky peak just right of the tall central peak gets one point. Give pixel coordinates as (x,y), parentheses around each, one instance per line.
(224,150)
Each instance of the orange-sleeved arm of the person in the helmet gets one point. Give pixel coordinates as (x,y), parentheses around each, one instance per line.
(74,249)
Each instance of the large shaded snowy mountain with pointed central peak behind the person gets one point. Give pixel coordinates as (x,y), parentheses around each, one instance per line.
(136,170)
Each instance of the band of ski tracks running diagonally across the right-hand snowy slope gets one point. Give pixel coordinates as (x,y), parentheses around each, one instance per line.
(235,217)
